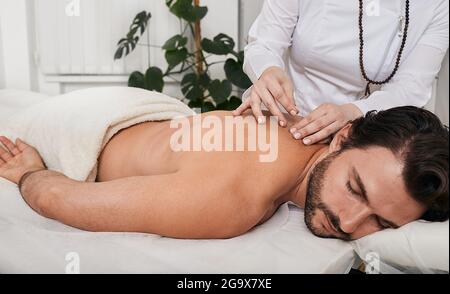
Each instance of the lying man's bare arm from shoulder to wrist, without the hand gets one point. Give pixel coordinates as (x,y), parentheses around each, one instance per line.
(173,205)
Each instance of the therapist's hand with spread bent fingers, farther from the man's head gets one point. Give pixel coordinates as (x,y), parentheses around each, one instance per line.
(273,86)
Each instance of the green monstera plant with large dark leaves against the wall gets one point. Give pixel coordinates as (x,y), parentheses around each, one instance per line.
(187,54)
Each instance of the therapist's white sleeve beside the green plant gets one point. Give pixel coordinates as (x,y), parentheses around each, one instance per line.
(270,36)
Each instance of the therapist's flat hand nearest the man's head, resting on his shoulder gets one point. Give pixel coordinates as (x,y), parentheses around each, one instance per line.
(323,122)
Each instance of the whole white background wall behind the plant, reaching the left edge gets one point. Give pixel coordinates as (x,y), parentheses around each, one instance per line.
(26,63)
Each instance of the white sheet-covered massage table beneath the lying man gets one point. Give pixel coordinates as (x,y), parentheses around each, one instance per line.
(30,243)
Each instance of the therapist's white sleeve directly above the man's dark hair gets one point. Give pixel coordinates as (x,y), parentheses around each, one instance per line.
(413,83)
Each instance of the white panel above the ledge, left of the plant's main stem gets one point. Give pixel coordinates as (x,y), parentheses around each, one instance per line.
(84,41)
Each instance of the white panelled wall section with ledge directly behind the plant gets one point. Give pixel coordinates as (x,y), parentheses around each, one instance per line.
(85,57)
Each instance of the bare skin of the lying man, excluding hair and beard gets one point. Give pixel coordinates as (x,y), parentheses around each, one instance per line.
(143,186)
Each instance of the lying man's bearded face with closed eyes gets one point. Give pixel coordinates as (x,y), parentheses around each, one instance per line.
(357,192)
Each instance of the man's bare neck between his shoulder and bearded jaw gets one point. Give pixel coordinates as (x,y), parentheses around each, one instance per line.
(298,195)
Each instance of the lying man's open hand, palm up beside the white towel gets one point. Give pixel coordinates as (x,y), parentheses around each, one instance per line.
(18,159)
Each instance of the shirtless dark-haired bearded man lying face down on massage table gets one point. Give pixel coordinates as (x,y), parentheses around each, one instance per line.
(381,171)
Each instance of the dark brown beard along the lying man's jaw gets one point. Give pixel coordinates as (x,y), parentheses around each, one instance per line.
(314,201)
